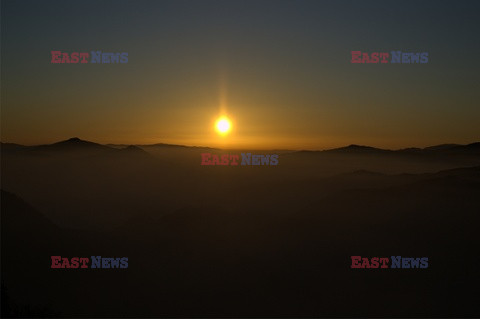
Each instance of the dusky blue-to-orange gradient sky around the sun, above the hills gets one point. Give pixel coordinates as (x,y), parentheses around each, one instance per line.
(280,69)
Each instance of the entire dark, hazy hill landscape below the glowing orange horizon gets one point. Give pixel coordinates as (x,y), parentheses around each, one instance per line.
(239,241)
